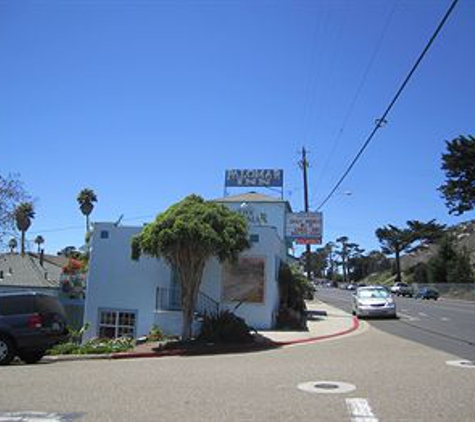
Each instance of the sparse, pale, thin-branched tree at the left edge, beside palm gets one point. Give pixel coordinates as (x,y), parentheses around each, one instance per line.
(12,194)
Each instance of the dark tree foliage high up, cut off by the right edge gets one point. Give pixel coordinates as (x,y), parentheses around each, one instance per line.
(459,166)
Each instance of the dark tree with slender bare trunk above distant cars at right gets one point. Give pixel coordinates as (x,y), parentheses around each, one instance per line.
(395,241)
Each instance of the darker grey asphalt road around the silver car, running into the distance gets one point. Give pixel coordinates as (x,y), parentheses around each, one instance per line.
(444,324)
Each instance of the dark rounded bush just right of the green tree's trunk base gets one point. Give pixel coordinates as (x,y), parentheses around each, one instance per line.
(225,327)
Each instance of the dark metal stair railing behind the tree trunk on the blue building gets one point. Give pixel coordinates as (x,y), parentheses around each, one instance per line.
(170,300)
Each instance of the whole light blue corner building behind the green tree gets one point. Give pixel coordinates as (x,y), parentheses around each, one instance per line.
(126,297)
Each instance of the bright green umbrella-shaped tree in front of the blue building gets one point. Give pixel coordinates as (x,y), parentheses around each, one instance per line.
(186,236)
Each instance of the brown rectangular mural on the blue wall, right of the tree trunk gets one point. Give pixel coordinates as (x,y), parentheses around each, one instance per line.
(244,280)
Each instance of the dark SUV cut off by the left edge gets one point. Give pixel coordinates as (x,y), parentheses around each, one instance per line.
(30,323)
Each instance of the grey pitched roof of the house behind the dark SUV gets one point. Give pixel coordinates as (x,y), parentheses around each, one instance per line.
(26,271)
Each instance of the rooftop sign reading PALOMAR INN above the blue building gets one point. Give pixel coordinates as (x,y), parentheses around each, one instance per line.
(258,178)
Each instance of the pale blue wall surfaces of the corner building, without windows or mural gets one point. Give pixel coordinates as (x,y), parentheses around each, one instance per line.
(116,282)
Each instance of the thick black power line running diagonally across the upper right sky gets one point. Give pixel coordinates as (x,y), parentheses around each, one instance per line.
(382,120)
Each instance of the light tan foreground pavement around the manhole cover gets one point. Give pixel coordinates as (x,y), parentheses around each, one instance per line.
(394,380)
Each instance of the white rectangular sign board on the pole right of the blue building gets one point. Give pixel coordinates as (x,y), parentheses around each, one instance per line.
(305,227)
